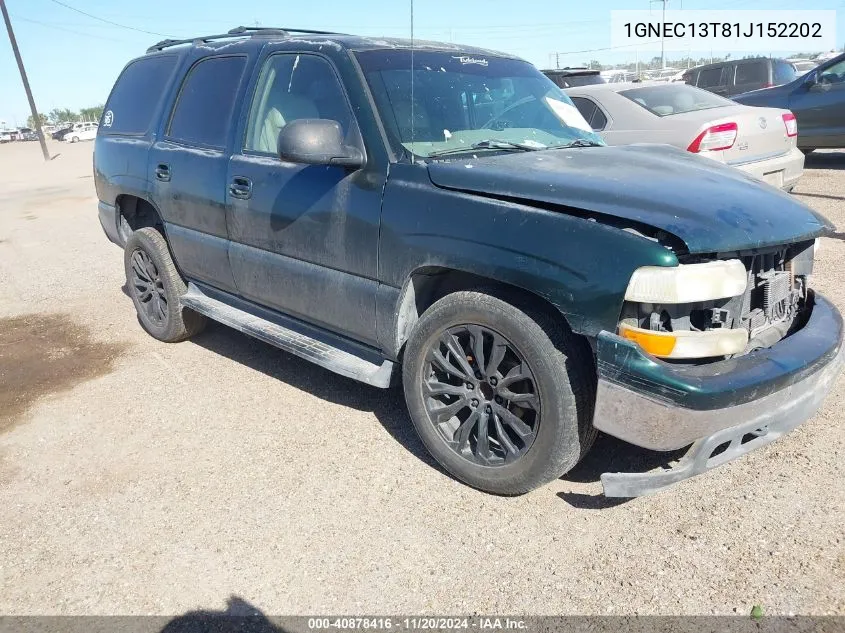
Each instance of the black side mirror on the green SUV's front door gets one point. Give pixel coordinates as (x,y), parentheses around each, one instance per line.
(317,142)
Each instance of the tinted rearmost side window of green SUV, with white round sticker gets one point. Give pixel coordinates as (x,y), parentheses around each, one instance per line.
(136,94)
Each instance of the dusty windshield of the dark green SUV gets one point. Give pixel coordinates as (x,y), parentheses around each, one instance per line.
(461,100)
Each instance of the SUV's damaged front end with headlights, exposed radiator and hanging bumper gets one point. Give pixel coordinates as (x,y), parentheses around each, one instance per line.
(724,352)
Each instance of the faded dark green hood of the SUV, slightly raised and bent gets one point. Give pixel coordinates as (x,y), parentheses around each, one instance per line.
(711,207)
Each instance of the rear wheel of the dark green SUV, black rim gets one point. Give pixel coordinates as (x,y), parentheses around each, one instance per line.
(156,288)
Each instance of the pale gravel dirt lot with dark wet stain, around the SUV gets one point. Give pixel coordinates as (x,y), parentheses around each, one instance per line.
(140,477)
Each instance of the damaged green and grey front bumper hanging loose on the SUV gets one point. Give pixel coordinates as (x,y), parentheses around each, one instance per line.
(724,409)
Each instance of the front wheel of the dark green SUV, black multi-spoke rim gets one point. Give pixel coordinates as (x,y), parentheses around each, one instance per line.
(558,396)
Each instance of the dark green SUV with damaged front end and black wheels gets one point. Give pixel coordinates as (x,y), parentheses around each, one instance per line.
(534,284)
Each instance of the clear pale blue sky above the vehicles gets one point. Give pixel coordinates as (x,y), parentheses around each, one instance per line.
(72,59)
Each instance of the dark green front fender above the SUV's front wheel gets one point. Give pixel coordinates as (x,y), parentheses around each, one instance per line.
(580,266)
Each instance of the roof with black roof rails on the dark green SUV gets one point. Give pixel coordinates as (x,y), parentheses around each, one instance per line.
(247,35)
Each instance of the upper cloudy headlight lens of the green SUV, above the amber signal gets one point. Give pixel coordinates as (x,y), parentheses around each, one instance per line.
(687,283)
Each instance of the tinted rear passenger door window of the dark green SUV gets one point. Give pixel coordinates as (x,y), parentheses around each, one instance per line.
(203,111)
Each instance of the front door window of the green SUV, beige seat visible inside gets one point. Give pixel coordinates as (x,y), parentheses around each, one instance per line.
(293,87)
